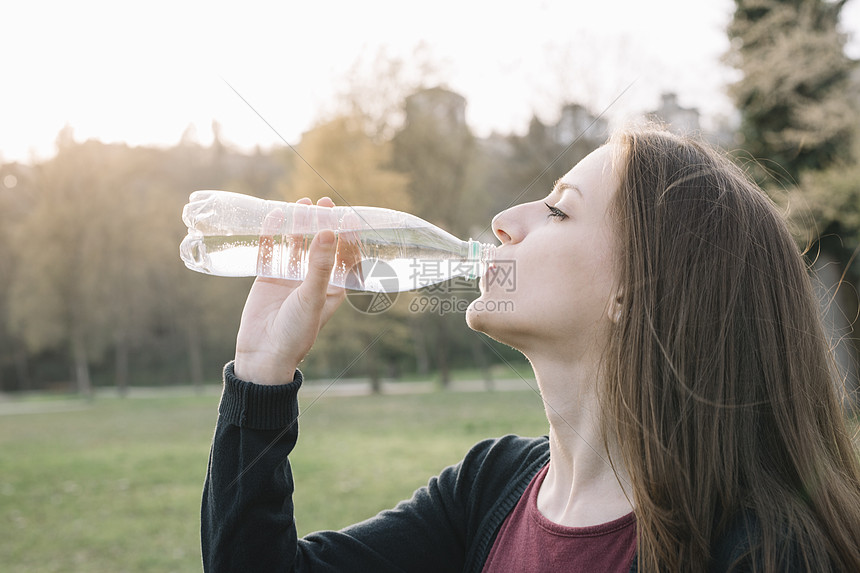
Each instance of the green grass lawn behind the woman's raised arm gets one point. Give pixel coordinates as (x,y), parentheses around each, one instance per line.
(115,485)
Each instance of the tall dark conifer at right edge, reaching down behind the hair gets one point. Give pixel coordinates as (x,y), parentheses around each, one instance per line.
(796,120)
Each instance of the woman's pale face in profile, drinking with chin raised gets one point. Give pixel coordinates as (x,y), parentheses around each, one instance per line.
(554,277)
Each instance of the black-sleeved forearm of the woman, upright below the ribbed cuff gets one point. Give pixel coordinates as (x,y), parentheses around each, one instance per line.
(247,516)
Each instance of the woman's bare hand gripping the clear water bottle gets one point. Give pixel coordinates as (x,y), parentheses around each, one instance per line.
(282,318)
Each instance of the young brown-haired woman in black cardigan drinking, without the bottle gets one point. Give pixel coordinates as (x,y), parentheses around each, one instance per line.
(694,420)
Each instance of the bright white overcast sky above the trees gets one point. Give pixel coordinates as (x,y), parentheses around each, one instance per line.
(143,72)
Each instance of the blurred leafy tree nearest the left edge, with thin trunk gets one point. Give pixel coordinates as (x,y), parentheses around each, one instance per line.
(66,245)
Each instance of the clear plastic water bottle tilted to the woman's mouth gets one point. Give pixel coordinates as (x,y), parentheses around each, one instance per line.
(378,250)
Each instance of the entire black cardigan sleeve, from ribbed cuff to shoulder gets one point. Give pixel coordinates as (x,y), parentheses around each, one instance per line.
(247,509)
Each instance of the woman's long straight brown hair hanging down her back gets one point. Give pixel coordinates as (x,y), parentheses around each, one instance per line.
(720,388)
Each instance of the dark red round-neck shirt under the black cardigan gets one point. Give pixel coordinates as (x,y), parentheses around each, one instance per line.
(530,543)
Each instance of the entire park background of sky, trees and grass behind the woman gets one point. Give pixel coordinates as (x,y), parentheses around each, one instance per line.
(111,115)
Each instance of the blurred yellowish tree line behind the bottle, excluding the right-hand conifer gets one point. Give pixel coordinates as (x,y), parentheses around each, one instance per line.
(93,292)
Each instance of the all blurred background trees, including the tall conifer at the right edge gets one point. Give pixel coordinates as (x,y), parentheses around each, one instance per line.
(93,292)
